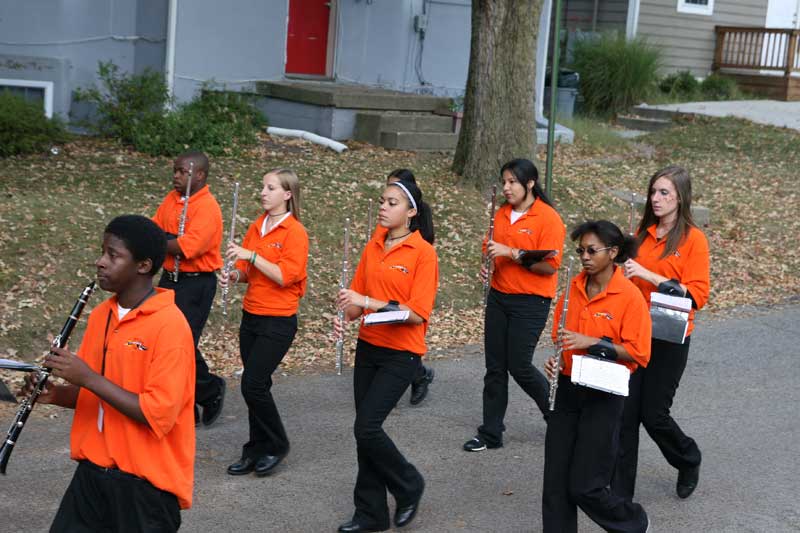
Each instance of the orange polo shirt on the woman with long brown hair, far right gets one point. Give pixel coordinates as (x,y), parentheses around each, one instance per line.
(689,264)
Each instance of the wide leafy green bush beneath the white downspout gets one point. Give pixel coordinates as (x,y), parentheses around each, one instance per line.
(131,108)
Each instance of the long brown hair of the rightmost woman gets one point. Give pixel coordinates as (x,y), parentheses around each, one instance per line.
(683,187)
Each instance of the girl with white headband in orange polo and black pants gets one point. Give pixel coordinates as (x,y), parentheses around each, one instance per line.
(397,271)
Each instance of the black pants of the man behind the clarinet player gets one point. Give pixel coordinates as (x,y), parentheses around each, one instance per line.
(194,296)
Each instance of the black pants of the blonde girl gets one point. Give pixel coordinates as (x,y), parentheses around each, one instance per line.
(263,341)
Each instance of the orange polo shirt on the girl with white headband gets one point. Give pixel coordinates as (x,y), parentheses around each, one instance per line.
(407,273)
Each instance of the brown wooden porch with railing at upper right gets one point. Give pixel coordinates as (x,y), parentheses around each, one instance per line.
(764,61)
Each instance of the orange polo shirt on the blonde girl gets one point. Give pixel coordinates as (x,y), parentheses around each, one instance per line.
(286,245)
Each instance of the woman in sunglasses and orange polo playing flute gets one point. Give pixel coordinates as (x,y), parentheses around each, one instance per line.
(607,317)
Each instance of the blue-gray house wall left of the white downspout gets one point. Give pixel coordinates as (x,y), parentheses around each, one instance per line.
(62,40)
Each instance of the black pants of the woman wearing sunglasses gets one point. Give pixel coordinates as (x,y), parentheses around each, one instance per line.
(581,449)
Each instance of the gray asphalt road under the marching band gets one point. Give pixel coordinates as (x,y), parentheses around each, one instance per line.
(738,398)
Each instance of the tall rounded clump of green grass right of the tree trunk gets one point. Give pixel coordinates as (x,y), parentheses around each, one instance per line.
(614,73)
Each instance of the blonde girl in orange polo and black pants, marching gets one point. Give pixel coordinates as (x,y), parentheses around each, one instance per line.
(272,261)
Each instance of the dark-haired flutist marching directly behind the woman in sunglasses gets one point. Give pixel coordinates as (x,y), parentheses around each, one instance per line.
(520,295)
